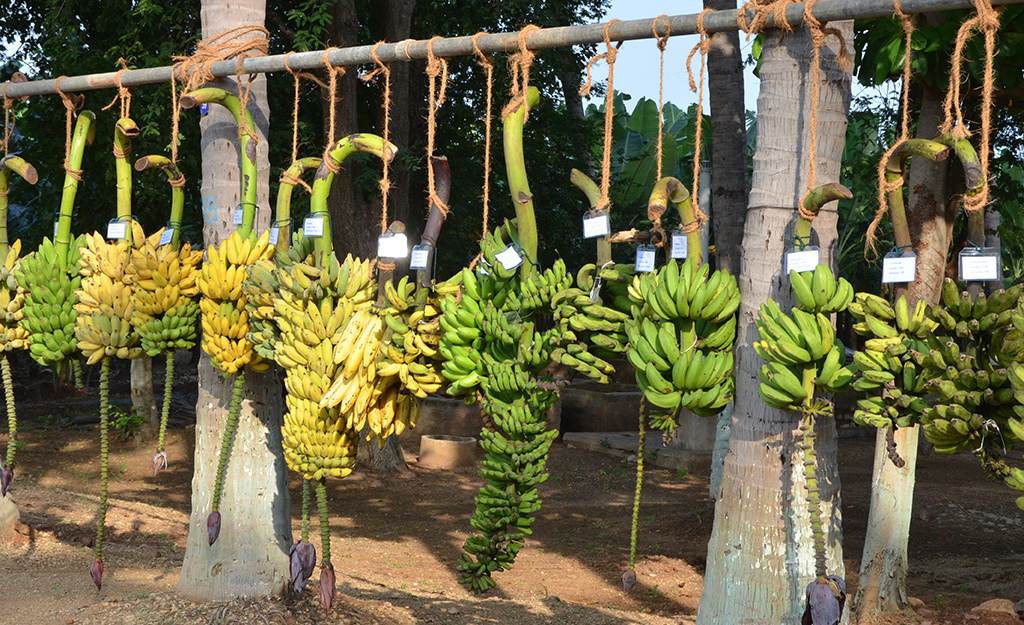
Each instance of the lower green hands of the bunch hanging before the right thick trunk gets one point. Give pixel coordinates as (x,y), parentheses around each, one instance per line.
(803,355)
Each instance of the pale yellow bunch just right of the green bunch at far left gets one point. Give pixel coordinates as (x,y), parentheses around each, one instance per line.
(106,306)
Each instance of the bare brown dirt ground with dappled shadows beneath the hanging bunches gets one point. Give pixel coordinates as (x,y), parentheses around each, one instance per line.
(397,538)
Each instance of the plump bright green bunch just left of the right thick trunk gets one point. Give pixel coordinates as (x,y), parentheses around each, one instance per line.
(681,332)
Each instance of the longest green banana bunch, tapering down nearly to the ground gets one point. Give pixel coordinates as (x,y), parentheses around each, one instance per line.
(491,343)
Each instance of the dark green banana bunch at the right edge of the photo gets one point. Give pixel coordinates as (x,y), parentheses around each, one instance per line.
(968,360)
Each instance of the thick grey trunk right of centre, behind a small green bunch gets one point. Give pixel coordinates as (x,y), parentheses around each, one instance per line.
(760,557)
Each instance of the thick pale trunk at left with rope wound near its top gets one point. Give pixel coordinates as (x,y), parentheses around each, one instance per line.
(250,558)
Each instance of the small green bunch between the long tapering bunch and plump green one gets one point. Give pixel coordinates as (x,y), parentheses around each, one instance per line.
(592,334)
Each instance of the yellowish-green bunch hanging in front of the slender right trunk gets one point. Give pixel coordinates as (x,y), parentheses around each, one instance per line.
(892,382)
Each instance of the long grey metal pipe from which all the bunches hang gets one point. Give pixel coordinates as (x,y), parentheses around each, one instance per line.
(825,11)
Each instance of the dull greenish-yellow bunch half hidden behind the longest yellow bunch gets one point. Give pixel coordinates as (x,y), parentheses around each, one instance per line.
(261,289)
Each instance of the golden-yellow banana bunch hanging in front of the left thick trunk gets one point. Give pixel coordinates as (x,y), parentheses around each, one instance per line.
(226,321)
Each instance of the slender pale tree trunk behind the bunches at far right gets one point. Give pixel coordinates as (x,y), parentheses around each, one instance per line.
(882,586)
